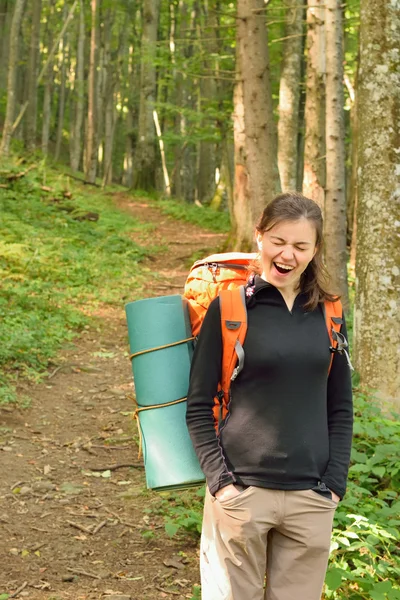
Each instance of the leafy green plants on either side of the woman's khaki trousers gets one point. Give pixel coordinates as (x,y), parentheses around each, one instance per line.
(365,555)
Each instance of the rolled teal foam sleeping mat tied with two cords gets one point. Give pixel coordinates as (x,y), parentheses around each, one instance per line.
(162,377)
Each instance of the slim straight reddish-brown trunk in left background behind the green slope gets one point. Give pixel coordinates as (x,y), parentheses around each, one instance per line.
(91,141)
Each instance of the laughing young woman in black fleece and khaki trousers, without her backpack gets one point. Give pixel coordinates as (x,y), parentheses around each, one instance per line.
(278,467)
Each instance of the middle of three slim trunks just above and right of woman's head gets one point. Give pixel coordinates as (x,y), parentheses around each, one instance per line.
(314,113)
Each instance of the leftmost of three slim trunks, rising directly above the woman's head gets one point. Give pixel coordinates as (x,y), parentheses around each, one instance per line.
(289,95)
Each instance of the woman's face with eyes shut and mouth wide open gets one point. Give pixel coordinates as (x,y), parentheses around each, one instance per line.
(286,249)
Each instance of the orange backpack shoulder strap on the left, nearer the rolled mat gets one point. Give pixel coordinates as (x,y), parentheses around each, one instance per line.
(233,327)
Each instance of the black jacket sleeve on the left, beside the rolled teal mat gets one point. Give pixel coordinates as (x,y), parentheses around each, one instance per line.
(204,377)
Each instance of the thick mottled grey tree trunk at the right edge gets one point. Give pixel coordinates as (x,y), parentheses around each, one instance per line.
(377,307)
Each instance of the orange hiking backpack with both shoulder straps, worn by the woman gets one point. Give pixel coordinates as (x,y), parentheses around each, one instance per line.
(225,275)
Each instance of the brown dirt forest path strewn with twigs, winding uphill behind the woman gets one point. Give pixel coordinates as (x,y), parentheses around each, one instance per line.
(72,524)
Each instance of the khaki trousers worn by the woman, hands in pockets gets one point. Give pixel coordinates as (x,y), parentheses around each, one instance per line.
(284,535)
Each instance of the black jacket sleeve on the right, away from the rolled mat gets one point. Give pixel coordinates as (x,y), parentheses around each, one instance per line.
(340,422)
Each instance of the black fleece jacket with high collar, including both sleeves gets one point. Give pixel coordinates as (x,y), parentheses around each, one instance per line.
(289,425)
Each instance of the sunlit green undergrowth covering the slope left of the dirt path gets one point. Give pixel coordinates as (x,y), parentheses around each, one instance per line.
(64,251)
